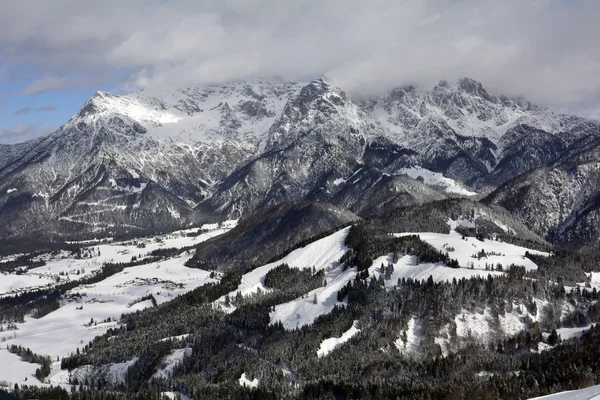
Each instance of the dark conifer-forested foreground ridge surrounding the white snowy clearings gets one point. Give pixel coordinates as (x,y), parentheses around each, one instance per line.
(378,361)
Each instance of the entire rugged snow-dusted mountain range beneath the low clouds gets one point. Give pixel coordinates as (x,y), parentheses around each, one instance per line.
(139,162)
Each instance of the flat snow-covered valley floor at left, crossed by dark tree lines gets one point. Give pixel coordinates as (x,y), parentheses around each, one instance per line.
(90,310)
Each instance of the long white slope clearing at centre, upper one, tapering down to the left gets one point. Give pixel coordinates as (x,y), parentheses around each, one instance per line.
(321,254)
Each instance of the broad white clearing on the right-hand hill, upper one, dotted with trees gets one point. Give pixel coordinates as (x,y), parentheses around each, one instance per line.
(466,251)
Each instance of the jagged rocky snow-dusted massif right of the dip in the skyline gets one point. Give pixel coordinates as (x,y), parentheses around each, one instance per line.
(463,131)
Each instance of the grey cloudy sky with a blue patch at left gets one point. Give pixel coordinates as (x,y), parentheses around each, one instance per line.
(55,53)
